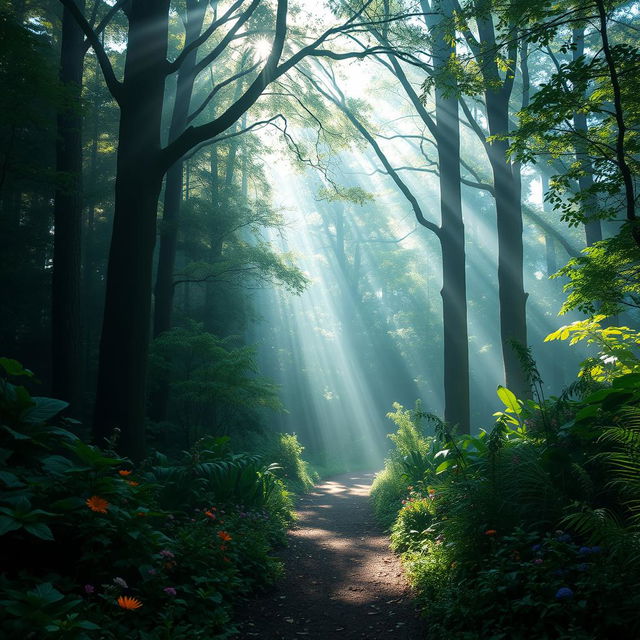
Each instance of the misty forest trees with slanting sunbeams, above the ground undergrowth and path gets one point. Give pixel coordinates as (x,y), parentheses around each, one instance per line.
(338,206)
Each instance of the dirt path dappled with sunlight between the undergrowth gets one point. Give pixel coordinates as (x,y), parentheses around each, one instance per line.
(341,581)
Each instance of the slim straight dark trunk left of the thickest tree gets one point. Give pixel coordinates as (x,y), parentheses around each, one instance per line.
(67,211)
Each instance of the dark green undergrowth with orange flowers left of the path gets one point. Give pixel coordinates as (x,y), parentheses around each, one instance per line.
(157,551)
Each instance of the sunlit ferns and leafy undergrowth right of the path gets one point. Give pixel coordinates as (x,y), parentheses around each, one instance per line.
(529,529)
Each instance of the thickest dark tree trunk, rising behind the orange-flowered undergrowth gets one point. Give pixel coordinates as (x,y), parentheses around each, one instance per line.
(120,401)
